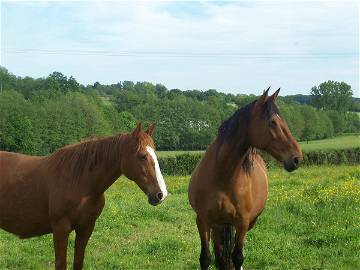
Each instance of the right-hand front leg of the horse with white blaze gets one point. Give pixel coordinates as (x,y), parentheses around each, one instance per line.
(83,234)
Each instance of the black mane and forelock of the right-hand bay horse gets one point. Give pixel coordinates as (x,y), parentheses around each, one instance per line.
(233,131)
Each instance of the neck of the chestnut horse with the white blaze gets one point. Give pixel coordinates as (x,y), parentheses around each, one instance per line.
(93,167)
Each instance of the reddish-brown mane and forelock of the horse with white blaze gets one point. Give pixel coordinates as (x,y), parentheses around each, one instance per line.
(77,159)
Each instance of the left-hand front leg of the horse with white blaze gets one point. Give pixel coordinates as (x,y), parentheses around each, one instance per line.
(61,230)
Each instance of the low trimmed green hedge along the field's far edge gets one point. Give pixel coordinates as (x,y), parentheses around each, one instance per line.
(184,164)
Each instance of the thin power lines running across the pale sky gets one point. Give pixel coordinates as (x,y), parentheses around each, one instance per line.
(174,53)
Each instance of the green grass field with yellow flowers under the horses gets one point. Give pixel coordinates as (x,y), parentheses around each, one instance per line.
(311,221)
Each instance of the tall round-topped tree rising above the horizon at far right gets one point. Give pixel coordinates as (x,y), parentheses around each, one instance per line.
(332,95)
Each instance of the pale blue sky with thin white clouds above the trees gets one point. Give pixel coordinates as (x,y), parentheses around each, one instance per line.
(238,47)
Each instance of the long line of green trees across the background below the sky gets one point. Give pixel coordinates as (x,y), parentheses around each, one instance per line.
(38,116)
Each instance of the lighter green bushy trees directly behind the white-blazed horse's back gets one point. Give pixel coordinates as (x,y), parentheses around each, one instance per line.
(41,126)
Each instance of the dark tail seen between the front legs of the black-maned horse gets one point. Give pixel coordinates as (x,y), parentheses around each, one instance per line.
(224,242)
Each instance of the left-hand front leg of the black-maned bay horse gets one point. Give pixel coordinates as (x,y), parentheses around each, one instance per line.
(205,257)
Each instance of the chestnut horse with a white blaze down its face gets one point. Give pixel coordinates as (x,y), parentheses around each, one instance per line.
(64,191)
